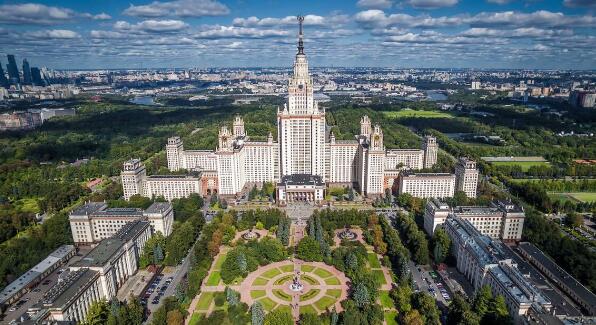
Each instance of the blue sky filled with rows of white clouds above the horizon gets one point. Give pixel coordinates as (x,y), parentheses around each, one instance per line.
(545,34)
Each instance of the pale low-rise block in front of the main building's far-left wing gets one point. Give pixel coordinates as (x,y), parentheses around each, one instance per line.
(94,221)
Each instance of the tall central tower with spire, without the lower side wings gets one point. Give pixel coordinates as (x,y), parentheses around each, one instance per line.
(301,125)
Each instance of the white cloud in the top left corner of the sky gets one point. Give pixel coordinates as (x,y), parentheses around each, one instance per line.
(33,13)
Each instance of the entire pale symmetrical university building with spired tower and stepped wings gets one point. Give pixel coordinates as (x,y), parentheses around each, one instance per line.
(303,161)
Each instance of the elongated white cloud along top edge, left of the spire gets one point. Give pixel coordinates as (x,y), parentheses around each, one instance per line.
(178,8)
